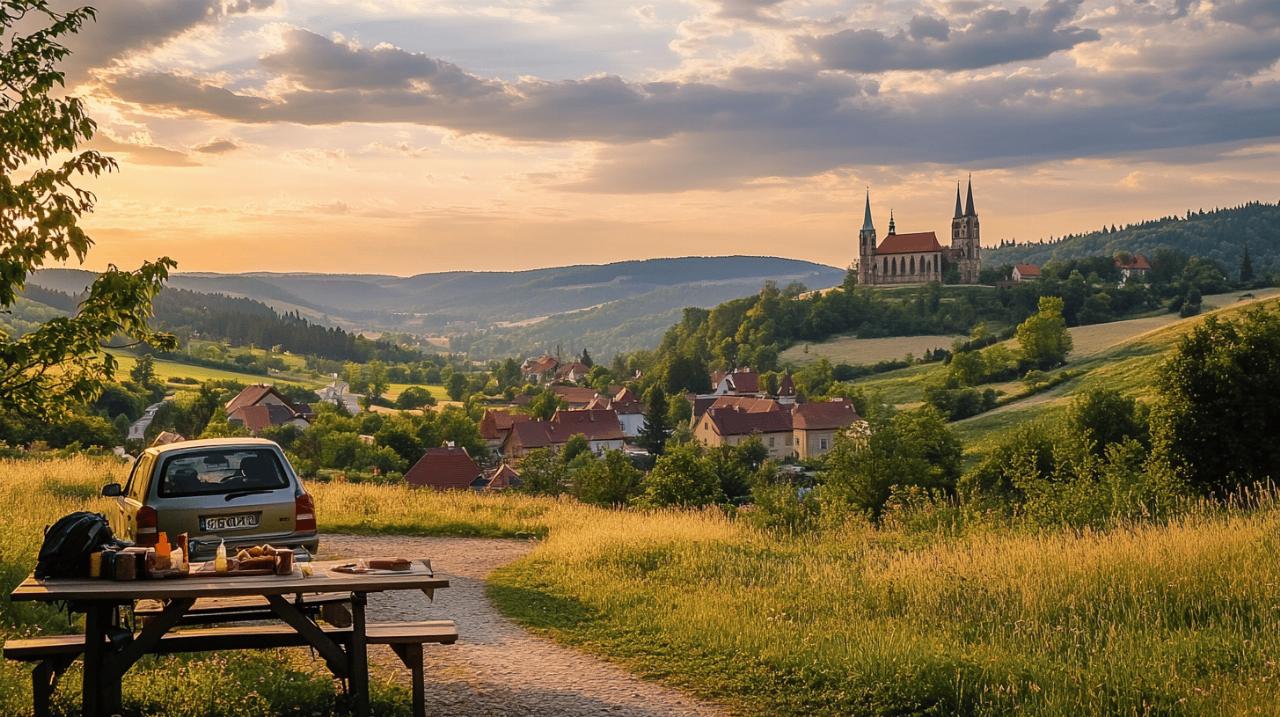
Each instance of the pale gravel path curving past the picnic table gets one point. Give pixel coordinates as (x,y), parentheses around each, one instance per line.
(497,668)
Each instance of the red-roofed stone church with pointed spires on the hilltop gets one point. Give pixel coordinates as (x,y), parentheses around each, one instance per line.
(917,258)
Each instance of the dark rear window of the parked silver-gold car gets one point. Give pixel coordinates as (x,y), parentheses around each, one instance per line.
(217,472)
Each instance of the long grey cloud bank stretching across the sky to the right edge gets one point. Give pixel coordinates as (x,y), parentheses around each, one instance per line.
(1171,90)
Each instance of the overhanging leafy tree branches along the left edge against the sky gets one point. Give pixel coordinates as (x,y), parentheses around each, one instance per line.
(61,364)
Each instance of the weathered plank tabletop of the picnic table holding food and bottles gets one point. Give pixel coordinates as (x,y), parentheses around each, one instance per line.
(322,581)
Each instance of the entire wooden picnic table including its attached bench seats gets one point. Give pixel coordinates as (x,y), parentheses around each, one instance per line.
(109,651)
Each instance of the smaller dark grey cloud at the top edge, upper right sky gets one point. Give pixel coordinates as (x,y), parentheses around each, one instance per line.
(991,36)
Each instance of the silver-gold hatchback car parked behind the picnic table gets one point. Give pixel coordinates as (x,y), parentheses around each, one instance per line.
(240,491)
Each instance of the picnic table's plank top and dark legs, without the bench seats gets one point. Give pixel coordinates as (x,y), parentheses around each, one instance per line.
(111,651)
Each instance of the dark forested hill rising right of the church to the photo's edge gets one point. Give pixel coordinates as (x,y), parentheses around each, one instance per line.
(1220,235)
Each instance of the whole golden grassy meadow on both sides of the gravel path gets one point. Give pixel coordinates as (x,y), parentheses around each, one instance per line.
(1177,619)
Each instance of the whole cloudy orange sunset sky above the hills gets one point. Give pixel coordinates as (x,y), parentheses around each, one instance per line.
(404,138)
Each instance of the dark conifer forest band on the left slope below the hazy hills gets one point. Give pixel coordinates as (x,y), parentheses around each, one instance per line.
(245,322)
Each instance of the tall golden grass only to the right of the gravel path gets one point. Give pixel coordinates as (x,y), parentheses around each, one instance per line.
(1182,619)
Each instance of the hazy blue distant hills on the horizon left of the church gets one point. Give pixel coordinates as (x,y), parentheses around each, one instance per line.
(606,308)
